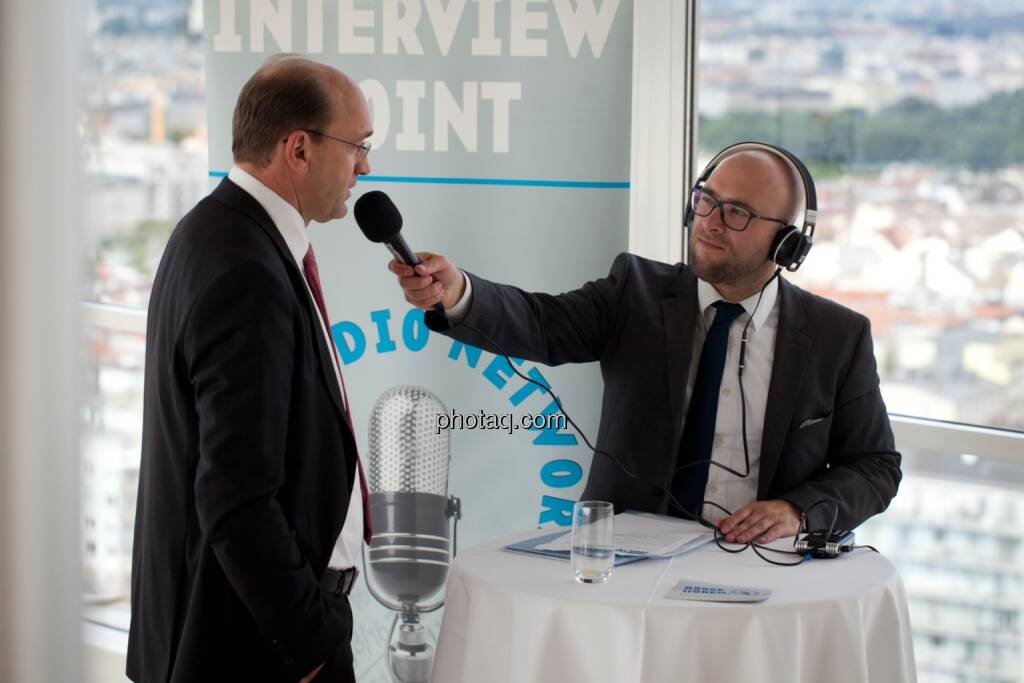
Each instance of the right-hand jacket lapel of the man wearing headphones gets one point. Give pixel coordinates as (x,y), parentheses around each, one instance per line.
(792,348)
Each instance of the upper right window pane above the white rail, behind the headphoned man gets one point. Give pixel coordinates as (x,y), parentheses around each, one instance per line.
(911,116)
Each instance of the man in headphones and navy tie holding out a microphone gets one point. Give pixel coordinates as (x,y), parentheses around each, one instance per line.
(669,340)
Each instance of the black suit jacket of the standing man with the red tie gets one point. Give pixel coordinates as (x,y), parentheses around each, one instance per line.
(247,462)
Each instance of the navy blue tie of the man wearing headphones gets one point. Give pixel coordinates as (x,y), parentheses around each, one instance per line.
(699,433)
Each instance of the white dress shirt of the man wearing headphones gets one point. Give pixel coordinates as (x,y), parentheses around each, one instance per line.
(724,489)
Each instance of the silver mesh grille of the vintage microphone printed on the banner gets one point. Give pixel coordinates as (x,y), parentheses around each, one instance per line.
(407,454)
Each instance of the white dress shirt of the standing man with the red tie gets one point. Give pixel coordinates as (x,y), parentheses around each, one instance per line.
(289,223)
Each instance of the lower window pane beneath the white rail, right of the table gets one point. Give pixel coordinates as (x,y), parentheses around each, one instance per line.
(954,533)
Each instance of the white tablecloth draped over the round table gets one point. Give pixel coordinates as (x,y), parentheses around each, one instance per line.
(520,619)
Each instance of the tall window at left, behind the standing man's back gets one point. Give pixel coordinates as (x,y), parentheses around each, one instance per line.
(146,165)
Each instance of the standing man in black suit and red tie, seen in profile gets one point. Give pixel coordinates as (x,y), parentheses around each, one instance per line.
(251,501)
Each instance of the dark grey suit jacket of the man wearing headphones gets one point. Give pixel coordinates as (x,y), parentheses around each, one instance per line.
(827,435)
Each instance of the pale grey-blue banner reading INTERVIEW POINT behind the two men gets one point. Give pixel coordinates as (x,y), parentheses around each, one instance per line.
(501,132)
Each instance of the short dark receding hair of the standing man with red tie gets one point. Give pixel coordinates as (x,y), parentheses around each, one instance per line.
(287,94)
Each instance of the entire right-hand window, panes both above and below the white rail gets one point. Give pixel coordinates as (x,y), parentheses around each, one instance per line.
(911,117)
